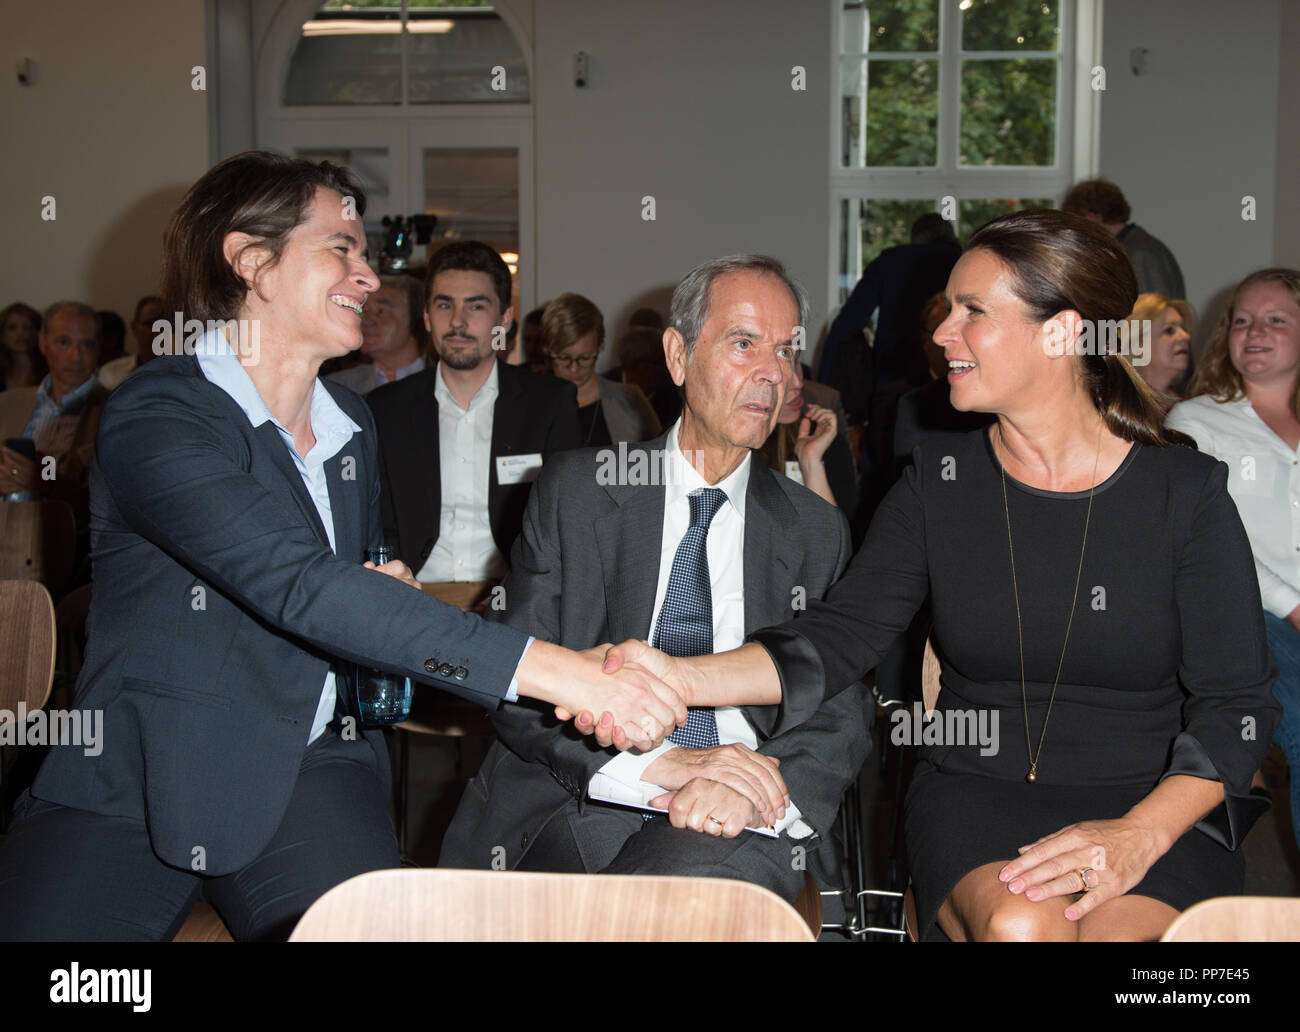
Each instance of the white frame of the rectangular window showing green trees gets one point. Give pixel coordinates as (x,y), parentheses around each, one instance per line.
(1077,145)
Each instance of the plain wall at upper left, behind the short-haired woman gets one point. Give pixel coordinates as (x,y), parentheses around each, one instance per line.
(112,131)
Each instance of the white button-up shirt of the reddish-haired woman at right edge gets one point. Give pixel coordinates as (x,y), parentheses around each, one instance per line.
(1264,480)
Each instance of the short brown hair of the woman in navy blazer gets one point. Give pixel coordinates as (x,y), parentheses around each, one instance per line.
(258,193)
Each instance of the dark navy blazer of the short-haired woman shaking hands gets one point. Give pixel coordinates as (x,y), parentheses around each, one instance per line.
(219,608)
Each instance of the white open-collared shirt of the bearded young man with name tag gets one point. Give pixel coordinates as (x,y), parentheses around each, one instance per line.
(466,550)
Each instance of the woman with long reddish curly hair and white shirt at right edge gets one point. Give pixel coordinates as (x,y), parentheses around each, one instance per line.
(1245,409)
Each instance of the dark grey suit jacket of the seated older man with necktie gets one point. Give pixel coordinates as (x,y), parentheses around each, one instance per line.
(584,573)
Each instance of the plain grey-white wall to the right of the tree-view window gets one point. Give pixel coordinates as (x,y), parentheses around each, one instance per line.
(1199,132)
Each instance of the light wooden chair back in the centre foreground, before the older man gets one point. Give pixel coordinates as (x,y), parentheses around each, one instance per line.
(489,907)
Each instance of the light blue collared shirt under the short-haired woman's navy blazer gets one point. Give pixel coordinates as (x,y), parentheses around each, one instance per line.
(332,427)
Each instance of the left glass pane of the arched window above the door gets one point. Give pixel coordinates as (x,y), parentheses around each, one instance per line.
(348,58)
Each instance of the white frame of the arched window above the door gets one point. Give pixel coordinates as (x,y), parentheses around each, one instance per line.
(402,129)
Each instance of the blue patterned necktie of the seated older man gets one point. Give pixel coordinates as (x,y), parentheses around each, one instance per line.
(686,625)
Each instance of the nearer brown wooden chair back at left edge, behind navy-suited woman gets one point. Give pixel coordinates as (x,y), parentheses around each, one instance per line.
(27,644)
